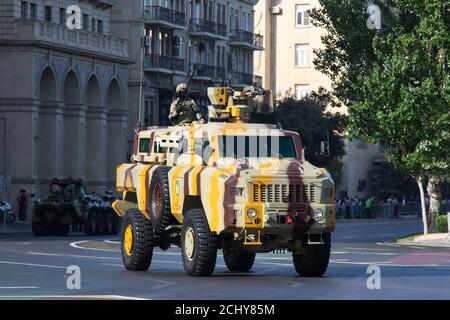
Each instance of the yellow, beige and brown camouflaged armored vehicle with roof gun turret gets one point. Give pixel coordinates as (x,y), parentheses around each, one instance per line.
(228,184)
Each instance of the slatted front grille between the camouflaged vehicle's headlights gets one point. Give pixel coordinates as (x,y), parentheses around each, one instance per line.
(284,193)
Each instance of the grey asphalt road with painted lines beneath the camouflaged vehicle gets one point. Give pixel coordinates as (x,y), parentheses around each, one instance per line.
(35,268)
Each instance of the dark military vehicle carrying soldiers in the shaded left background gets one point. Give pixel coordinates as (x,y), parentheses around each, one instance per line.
(68,204)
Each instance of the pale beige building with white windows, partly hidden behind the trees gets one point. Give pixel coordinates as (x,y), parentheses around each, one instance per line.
(286,65)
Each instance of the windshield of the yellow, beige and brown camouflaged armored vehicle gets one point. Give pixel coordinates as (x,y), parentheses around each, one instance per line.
(256,147)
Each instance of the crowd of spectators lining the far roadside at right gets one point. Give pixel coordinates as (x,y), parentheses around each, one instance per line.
(371,207)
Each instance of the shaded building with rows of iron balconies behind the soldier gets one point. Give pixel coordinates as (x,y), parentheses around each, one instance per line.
(172,38)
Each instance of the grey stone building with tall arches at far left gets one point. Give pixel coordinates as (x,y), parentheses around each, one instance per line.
(62,93)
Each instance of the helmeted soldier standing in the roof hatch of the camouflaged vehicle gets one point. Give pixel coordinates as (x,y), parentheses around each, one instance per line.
(184,110)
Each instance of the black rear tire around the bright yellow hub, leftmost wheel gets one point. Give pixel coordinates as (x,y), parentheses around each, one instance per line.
(139,257)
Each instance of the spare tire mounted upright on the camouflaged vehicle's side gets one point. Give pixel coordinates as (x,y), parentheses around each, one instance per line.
(161,216)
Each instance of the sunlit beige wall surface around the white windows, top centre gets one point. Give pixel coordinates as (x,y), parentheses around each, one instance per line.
(281,36)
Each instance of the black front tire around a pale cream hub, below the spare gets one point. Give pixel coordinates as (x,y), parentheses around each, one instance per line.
(201,261)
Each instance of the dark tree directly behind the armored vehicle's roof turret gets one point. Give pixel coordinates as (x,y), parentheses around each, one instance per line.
(315,125)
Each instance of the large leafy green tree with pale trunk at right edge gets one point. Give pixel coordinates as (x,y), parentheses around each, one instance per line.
(395,82)
